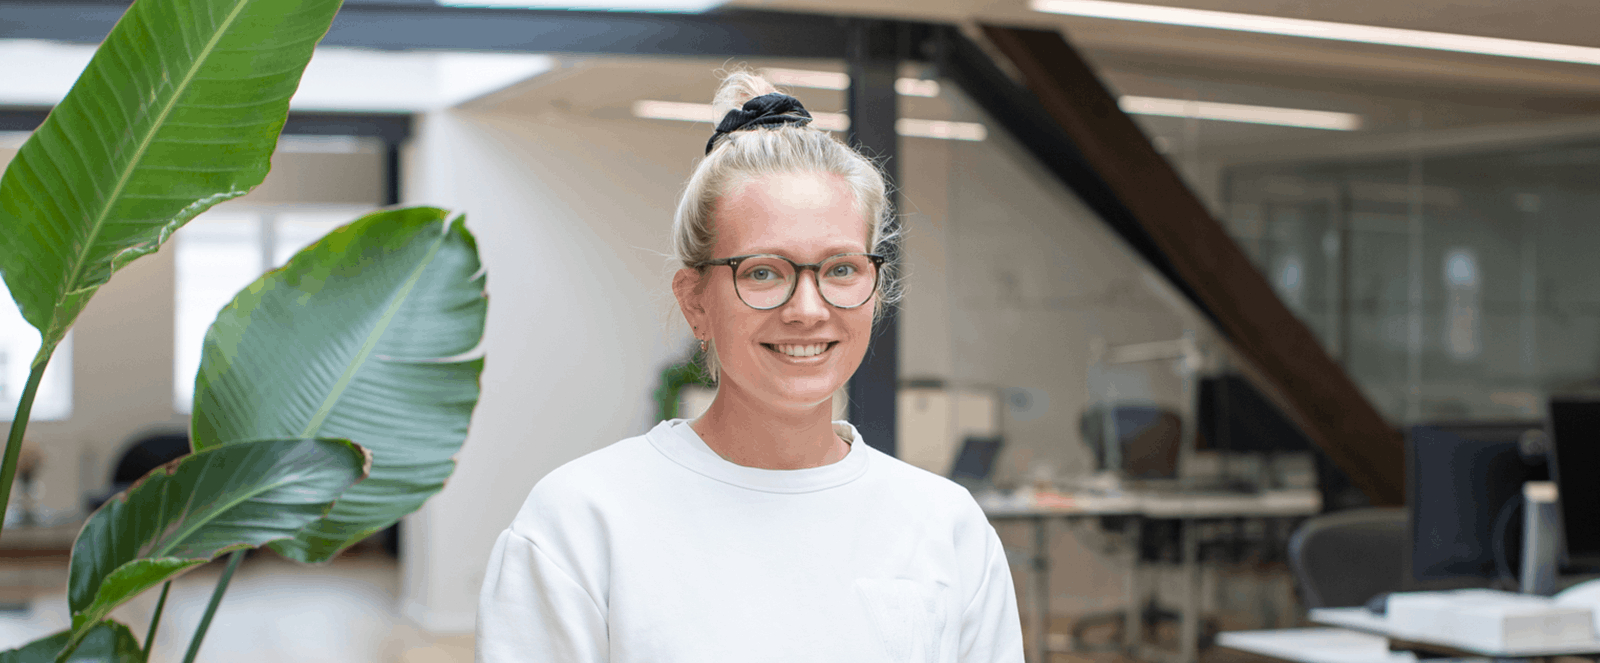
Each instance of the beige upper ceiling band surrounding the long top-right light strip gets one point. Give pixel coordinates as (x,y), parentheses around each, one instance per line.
(1206,54)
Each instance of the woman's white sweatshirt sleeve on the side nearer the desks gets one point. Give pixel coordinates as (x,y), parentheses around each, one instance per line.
(991,629)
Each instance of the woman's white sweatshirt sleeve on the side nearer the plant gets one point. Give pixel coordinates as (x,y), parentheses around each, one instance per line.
(534,611)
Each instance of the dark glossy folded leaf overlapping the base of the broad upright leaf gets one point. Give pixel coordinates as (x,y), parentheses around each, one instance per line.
(199,507)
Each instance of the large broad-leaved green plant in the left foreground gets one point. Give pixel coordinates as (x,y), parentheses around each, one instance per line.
(332,393)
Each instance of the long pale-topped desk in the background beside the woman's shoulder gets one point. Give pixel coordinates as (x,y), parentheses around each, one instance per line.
(1186,507)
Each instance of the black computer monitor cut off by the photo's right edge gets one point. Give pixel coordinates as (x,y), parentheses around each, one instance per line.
(1575,467)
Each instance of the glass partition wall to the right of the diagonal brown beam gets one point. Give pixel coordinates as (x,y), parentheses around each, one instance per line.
(1450,286)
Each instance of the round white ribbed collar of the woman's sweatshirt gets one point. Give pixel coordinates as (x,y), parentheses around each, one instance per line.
(678,441)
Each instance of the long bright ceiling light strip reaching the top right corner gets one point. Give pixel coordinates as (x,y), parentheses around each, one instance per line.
(1321,30)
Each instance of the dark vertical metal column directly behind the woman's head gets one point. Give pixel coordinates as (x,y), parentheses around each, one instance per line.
(874,106)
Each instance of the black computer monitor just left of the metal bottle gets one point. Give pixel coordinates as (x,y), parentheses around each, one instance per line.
(1462,491)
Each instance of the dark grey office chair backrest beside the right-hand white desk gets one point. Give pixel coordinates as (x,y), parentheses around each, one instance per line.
(1348,558)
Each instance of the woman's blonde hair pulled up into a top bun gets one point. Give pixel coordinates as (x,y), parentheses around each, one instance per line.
(743,156)
